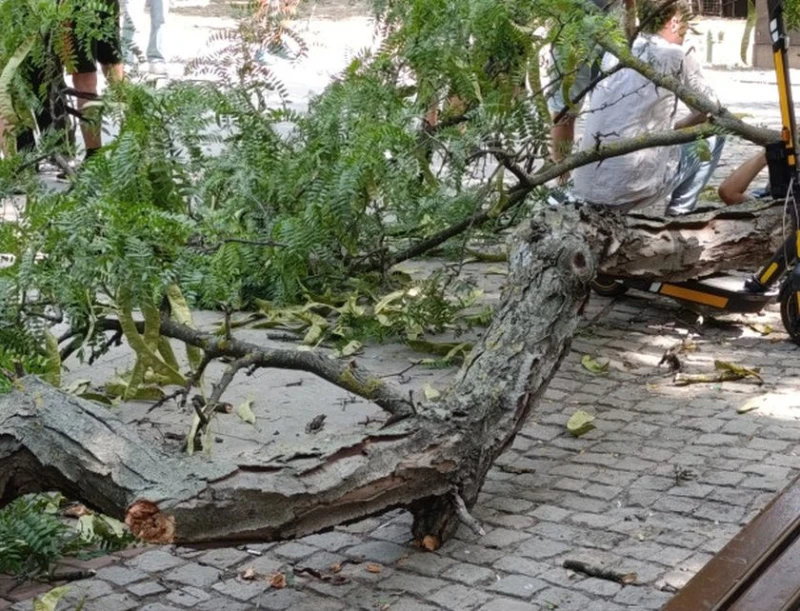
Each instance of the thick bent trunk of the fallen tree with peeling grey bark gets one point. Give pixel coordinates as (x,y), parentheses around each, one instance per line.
(433,461)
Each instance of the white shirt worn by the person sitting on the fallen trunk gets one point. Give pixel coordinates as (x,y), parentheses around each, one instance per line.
(627,105)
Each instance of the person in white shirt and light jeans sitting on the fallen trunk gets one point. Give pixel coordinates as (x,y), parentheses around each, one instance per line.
(627,105)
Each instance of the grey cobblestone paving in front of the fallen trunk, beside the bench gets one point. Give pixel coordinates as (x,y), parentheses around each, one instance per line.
(669,475)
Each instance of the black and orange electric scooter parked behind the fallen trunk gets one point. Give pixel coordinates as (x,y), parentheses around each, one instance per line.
(779,278)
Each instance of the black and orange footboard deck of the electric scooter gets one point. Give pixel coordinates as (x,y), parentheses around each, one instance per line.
(721,292)
